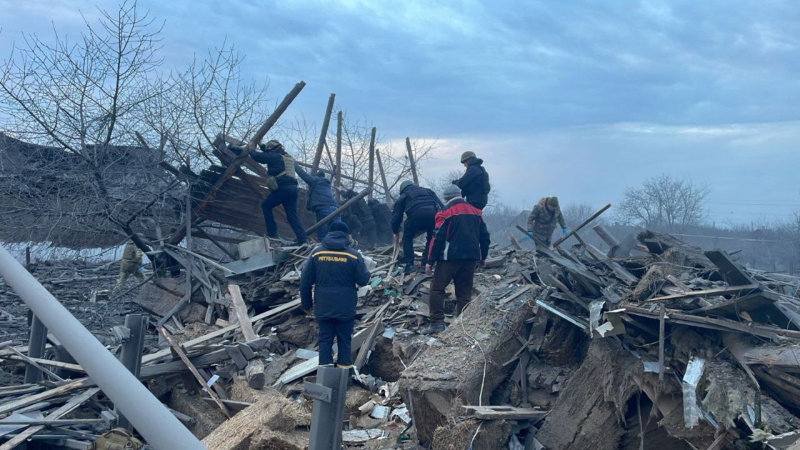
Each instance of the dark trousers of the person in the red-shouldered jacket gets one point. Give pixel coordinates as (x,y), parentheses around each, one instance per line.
(462,274)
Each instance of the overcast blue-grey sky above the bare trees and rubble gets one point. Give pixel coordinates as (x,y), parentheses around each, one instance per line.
(571,98)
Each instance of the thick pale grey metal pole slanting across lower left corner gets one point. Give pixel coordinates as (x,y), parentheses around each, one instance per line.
(152,419)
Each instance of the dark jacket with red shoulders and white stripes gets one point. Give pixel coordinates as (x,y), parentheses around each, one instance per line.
(461,234)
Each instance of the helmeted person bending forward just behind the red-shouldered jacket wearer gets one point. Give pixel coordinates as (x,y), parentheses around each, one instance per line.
(419,206)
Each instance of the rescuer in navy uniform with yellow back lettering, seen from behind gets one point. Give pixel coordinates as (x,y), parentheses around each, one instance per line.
(334,269)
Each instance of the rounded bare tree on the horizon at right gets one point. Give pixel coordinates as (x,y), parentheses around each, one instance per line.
(664,202)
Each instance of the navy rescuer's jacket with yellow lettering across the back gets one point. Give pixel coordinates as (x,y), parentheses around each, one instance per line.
(333,269)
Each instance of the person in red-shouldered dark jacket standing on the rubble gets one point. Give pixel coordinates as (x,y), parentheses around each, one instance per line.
(461,243)
